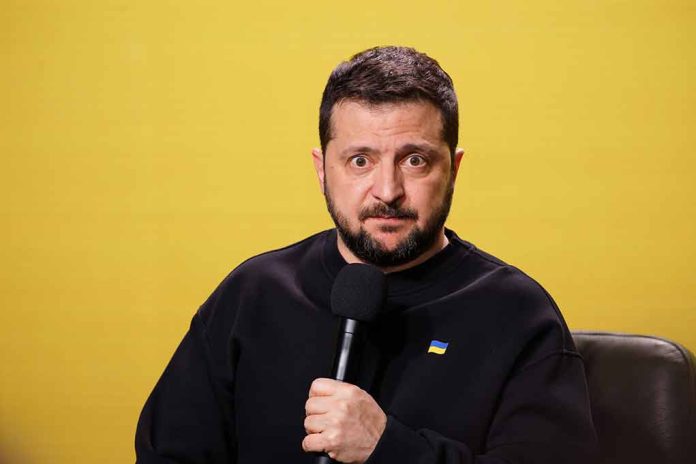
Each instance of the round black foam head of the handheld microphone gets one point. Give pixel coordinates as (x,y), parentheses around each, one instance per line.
(358,292)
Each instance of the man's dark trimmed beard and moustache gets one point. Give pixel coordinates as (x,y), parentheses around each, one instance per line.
(418,241)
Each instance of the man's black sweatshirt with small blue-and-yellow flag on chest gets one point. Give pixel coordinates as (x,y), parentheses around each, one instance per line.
(509,387)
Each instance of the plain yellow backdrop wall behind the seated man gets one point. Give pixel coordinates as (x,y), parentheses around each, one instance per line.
(150,146)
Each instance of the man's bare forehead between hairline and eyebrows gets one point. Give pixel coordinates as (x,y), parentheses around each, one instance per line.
(411,121)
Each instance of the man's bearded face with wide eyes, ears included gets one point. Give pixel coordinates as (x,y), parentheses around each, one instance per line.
(388,179)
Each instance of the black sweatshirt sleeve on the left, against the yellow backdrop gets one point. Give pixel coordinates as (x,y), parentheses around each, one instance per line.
(188,417)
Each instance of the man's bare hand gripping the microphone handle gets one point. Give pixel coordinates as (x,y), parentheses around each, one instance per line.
(342,420)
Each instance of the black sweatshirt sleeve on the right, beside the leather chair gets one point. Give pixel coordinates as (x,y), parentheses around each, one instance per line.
(527,427)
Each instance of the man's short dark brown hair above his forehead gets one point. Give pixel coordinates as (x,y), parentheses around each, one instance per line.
(391,75)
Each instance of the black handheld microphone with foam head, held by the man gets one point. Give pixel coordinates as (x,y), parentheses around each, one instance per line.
(357,295)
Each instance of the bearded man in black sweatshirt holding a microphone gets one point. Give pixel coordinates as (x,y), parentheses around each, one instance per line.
(469,361)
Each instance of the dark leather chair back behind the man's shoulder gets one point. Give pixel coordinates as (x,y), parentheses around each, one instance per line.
(643,397)
